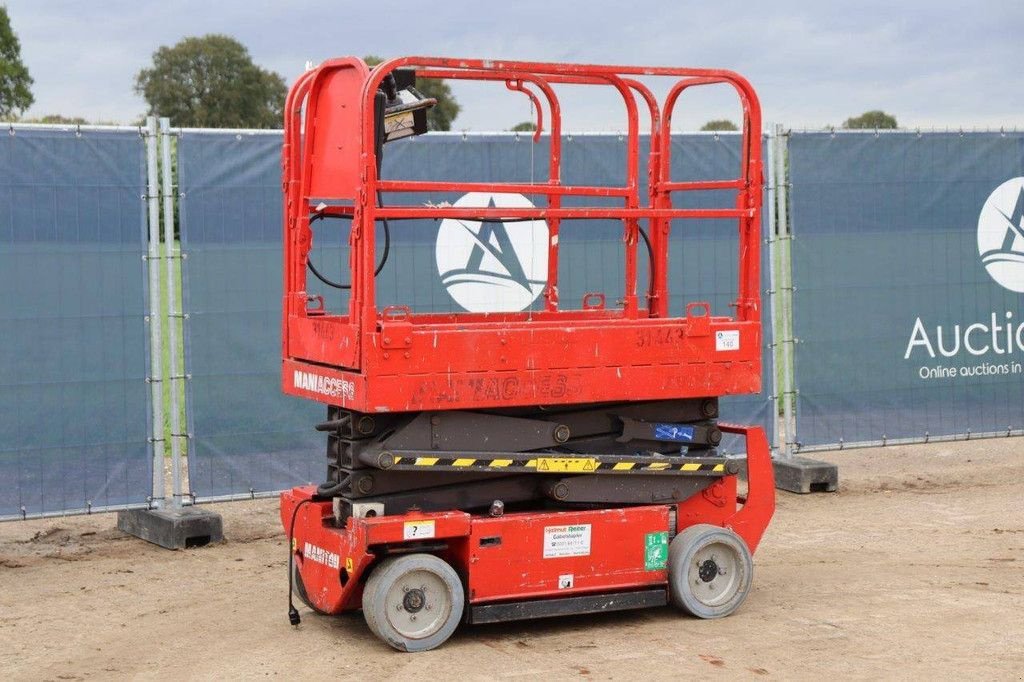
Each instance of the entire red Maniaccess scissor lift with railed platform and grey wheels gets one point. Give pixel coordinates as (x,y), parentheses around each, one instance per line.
(489,466)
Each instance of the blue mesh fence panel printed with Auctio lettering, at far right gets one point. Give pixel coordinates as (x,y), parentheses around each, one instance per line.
(891,276)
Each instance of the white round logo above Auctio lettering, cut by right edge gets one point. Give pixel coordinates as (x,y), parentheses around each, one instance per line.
(1001,235)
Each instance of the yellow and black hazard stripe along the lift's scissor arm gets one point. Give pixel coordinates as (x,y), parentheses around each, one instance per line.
(550,464)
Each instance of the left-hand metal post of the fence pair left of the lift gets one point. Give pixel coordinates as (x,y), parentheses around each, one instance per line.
(156,347)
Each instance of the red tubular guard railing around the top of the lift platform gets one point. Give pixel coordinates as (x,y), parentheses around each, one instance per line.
(517,76)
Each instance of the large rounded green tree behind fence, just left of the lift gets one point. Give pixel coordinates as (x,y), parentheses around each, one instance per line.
(212,82)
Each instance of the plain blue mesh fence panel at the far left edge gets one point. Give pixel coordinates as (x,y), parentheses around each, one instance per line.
(74,400)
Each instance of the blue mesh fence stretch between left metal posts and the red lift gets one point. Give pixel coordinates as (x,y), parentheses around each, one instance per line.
(246,435)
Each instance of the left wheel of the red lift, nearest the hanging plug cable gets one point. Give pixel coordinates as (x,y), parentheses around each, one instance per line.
(413,603)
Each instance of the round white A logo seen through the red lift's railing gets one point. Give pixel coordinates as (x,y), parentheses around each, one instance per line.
(493,267)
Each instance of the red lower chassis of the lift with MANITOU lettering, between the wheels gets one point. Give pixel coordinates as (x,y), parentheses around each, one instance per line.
(517,569)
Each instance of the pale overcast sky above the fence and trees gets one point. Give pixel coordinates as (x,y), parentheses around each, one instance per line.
(932,64)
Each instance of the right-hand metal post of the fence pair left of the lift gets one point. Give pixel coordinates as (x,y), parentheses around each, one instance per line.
(176,370)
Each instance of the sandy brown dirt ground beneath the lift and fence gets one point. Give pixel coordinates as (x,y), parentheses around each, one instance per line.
(914,570)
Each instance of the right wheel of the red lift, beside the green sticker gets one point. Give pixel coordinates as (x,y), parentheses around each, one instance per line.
(710,571)
